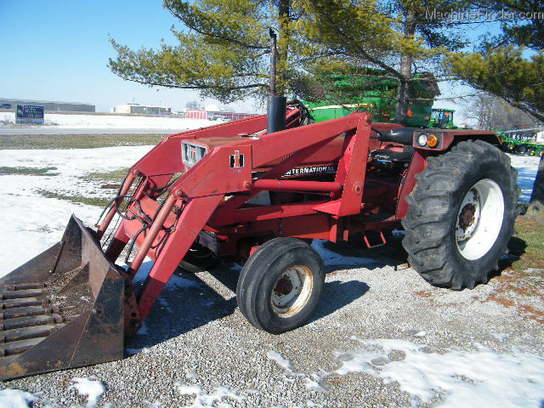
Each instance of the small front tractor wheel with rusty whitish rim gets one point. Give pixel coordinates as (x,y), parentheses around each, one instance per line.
(280,285)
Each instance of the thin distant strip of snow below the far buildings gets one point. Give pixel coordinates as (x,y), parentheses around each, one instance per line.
(112,121)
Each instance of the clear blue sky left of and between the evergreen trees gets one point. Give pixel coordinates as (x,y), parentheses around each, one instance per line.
(58,50)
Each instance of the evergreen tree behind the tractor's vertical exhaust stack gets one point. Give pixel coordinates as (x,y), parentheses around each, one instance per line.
(222,49)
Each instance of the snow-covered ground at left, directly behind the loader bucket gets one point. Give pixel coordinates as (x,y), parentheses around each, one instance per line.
(33,222)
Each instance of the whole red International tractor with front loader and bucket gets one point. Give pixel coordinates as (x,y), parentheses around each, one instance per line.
(237,191)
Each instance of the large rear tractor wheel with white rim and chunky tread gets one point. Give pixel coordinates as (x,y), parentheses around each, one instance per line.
(461,215)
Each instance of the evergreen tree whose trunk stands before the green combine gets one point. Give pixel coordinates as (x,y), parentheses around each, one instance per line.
(393,35)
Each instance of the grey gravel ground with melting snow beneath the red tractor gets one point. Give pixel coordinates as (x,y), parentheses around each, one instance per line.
(381,337)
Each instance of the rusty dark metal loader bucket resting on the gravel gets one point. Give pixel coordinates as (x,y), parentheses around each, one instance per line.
(62,309)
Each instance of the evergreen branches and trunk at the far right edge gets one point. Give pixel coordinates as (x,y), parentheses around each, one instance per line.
(506,68)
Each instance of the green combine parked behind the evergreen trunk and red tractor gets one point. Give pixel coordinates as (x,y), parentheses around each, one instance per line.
(376,94)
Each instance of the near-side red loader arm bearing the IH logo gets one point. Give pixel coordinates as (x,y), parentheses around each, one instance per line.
(198,195)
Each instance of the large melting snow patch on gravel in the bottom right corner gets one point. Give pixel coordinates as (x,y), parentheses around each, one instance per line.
(461,378)
